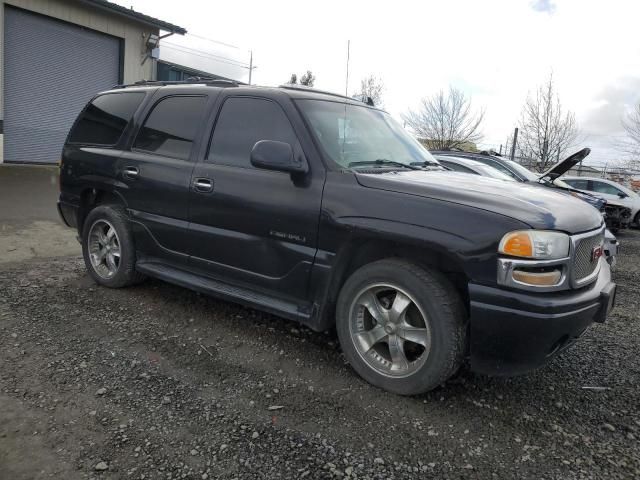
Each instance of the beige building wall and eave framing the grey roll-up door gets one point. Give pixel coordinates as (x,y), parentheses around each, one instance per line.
(132,32)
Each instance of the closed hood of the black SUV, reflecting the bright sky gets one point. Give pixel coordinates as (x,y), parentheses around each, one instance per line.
(536,205)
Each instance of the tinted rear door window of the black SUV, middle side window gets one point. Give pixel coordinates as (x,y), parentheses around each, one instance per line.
(171,126)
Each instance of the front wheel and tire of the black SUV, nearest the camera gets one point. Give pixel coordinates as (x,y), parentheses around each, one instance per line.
(433,322)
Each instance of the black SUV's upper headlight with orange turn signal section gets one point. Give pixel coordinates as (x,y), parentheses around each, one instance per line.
(536,244)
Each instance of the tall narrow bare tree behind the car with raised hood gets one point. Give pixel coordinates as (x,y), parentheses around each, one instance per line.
(546,129)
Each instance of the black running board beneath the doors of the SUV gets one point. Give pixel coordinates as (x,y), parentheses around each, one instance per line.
(222,290)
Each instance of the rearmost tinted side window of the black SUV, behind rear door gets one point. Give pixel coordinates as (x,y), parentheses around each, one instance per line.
(105,118)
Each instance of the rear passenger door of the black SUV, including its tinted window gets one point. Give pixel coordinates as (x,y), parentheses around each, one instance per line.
(154,174)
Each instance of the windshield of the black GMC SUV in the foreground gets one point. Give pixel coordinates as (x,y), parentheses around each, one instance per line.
(361,137)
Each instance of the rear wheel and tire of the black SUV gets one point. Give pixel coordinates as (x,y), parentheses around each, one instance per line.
(106,236)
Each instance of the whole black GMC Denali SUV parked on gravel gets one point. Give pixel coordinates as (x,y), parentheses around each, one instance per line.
(323,210)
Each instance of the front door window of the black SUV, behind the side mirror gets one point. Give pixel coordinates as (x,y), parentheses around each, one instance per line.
(242,122)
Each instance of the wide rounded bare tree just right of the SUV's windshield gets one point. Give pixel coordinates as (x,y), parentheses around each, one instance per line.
(445,120)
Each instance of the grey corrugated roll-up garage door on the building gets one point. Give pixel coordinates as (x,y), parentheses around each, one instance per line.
(51,70)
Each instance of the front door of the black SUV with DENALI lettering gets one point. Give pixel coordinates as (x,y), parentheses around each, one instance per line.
(252,226)
